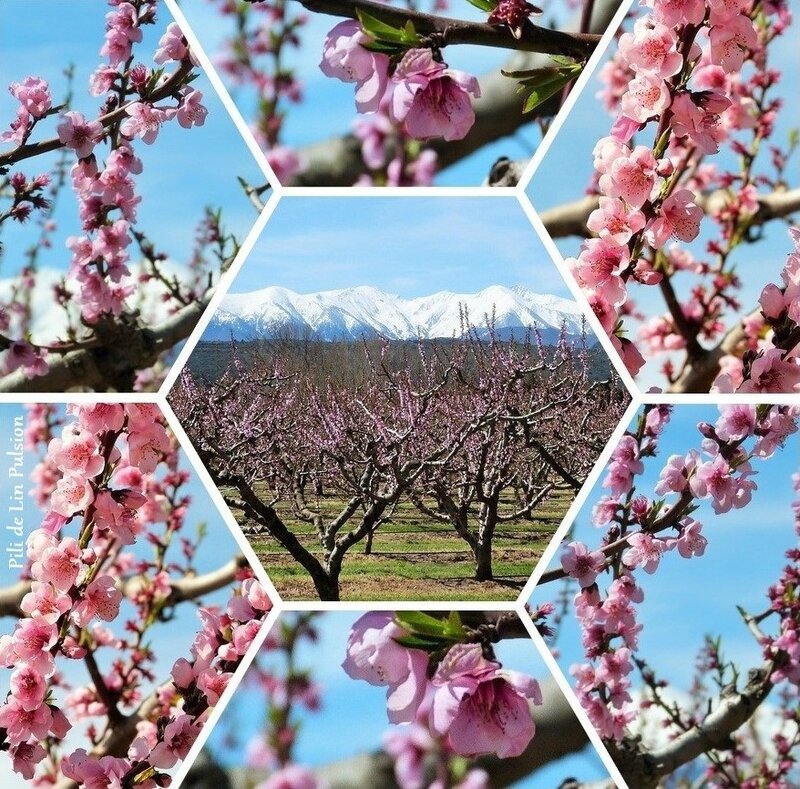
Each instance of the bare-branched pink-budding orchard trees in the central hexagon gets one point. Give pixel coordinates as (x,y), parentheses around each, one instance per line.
(474,432)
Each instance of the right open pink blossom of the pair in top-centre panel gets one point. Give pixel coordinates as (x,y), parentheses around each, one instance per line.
(430,99)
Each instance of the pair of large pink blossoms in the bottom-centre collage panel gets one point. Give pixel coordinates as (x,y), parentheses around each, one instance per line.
(469,702)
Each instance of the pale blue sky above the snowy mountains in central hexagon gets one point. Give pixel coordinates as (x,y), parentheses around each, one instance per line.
(408,246)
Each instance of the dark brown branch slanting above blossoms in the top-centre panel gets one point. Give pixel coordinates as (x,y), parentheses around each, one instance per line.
(459,31)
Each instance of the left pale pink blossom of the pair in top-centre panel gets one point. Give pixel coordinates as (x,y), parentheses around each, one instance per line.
(345,58)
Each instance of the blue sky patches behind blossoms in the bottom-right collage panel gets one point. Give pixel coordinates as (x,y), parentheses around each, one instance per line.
(686,599)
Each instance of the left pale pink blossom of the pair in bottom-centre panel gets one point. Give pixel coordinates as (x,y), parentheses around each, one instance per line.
(374,655)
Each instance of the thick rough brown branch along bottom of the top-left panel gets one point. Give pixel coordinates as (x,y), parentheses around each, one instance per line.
(113,363)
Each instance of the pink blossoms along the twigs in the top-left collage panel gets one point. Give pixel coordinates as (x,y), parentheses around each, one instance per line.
(136,101)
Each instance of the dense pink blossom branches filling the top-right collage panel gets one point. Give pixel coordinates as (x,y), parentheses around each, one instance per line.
(679,73)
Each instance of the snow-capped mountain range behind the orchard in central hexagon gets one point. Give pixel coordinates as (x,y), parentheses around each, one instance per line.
(359,312)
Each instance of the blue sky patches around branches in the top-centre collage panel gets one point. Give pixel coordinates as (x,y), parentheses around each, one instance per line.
(328,108)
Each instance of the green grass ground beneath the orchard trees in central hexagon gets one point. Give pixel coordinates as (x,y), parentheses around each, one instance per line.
(414,558)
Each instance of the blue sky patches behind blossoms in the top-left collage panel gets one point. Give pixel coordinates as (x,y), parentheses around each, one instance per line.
(184,170)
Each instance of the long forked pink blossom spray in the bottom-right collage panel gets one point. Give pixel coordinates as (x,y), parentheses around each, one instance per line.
(640,531)
